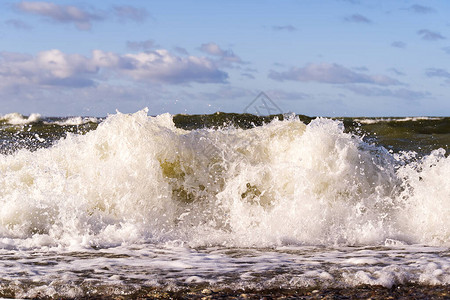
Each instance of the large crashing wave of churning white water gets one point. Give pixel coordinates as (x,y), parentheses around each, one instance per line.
(138,179)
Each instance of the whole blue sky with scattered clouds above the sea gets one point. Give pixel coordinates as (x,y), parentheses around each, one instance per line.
(318,58)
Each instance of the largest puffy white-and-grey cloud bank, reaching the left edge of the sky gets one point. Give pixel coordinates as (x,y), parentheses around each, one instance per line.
(54,68)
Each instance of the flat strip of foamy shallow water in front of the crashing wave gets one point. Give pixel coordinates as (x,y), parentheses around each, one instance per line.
(128,267)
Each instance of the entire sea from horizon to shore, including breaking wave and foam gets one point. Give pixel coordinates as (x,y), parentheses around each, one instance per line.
(109,206)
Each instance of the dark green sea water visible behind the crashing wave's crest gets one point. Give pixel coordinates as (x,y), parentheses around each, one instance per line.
(421,135)
